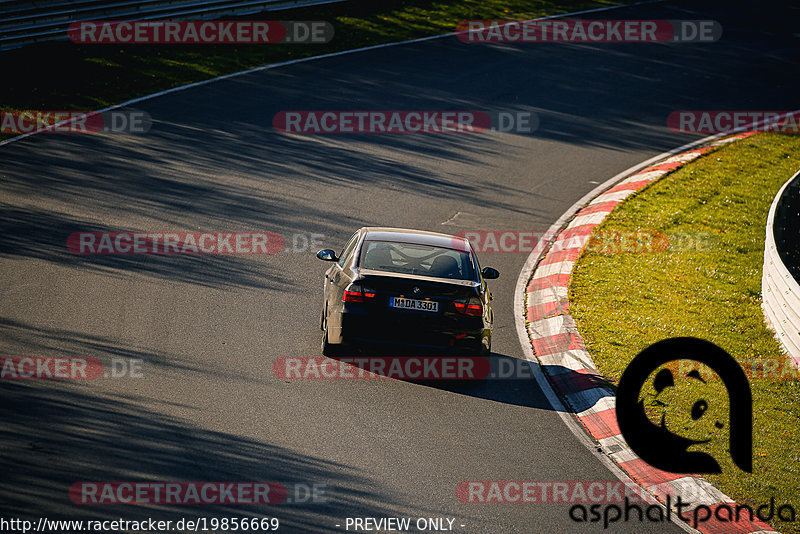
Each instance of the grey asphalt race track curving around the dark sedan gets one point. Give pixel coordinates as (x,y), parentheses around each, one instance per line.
(208,328)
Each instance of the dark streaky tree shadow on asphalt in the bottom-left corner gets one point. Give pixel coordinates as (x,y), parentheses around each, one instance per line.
(55,435)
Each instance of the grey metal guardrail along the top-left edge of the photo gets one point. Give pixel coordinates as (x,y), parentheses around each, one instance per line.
(25,22)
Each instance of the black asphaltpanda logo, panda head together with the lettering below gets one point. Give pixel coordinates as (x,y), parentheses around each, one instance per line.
(674,397)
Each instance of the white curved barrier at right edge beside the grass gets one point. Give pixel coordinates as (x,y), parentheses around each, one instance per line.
(780,290)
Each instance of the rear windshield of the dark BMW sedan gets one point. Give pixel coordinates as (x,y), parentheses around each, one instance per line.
(417,259)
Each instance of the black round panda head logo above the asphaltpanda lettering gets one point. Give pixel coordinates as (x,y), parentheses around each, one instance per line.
(685,415)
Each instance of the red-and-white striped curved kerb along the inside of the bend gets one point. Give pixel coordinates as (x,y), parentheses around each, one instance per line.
(549,338)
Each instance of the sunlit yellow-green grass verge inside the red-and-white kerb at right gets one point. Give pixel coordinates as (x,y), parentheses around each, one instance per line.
(625,302)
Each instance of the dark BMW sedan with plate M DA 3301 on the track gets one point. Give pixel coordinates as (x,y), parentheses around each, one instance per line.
(397,289)
